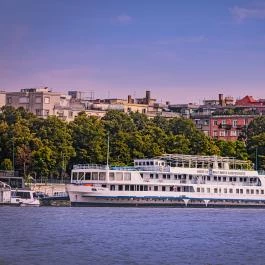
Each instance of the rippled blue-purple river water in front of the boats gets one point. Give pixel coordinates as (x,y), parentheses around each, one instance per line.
(131,236)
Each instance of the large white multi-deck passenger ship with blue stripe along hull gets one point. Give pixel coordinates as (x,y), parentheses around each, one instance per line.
(171,180)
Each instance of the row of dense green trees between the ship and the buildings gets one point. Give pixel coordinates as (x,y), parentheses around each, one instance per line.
(48,148)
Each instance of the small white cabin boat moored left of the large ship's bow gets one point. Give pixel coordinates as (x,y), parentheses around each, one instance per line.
(24,197)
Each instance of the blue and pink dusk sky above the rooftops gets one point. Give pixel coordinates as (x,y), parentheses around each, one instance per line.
(181,50)
